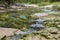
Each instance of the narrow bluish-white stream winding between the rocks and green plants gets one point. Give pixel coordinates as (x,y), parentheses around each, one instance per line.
(37,25)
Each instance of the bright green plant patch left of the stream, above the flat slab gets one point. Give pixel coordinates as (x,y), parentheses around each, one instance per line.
(15,21)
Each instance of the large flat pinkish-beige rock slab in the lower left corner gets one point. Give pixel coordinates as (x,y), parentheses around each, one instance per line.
(7,32)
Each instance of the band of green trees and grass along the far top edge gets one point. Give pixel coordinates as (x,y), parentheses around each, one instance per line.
(40,2)
